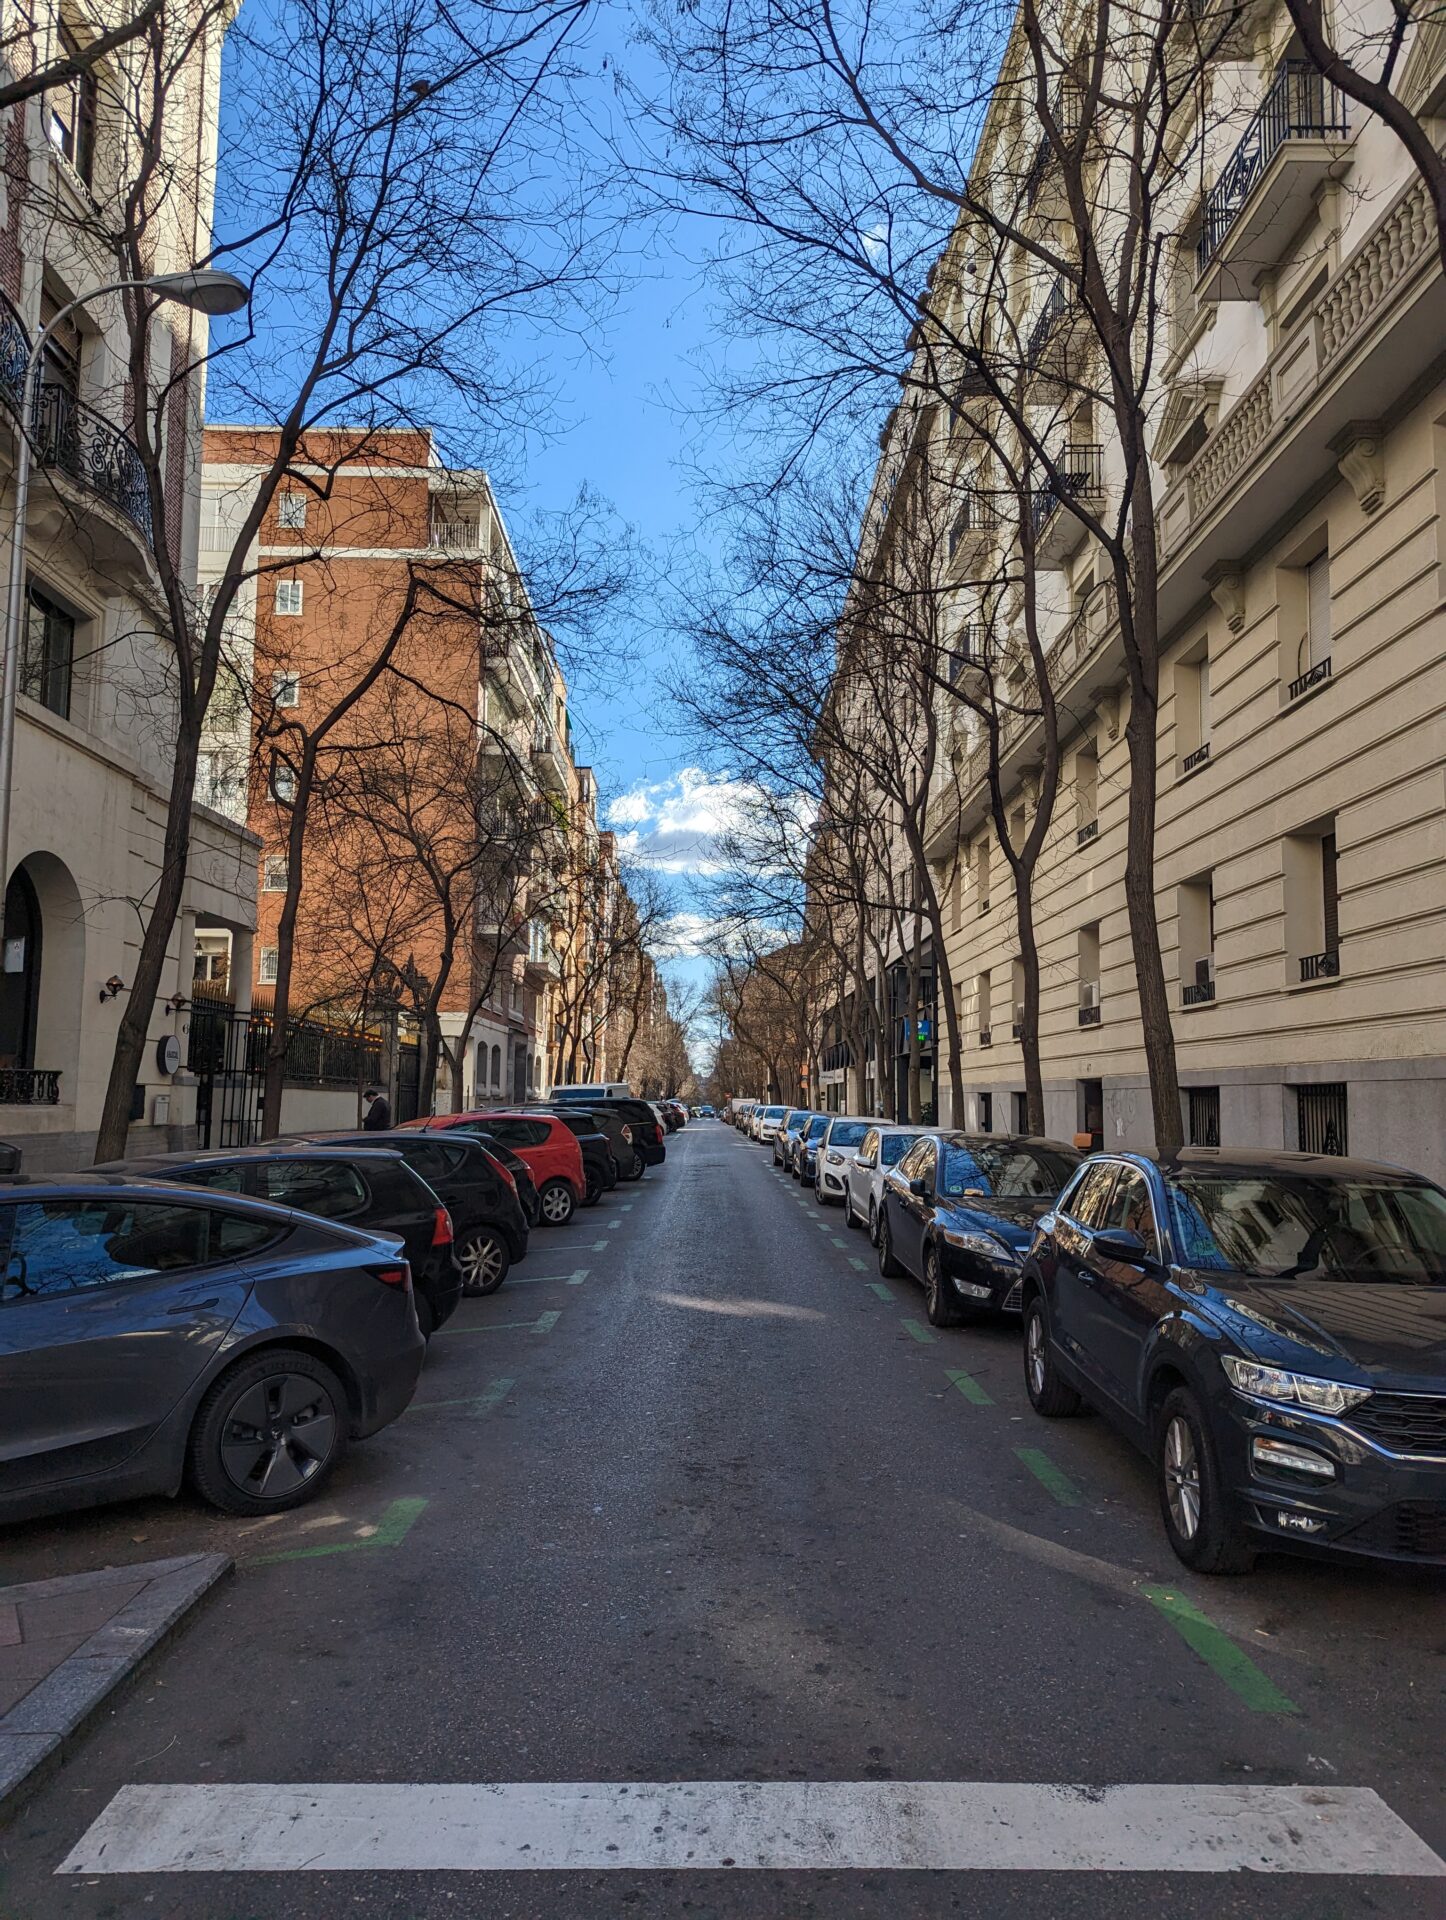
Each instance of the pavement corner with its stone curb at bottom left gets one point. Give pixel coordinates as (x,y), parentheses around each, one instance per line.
(70,1643)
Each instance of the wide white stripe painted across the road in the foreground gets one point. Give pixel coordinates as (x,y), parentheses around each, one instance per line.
(869,1825)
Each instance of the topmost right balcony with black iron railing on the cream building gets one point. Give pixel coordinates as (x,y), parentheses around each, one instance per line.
(1266,189)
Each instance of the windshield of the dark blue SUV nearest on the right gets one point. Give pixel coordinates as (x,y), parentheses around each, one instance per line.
(1282,1226)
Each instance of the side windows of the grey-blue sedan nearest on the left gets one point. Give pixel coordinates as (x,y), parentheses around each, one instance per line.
(62,1247)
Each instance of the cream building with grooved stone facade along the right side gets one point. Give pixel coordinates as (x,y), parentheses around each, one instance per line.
(1299,469)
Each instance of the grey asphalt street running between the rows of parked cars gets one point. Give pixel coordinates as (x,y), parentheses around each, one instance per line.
(706,1581)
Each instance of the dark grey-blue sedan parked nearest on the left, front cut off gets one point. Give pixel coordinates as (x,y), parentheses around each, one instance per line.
(155,1335)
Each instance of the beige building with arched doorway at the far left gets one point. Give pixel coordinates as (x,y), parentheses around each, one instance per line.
(97,704)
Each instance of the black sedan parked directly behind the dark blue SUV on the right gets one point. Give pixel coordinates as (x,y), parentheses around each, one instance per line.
(959,1214)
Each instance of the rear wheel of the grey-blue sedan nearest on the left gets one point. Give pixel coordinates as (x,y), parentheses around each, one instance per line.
(270,1433)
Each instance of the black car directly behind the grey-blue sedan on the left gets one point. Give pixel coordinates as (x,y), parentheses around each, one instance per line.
(368,1188)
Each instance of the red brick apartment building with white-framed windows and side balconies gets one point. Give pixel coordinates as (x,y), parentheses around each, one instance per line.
(377,552)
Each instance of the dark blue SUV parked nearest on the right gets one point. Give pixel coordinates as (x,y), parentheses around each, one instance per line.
(1270,1330)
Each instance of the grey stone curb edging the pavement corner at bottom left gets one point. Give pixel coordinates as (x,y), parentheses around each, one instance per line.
(39,1729)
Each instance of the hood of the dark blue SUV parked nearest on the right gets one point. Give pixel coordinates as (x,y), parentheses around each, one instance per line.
(1391,1333)
